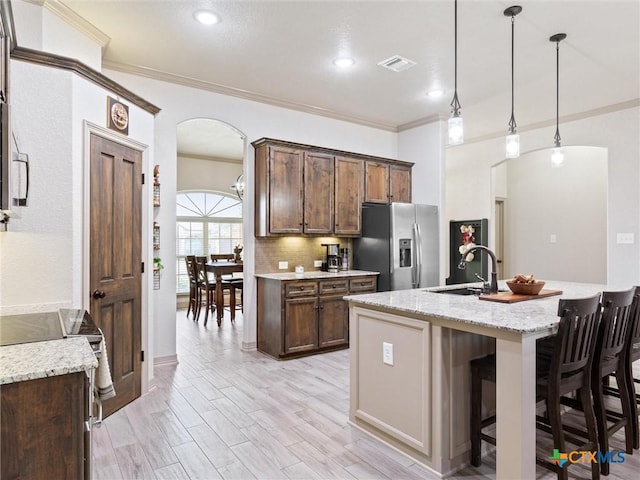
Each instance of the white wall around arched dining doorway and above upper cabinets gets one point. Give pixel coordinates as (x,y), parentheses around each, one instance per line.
(253,120)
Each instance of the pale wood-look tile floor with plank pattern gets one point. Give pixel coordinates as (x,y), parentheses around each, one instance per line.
(222,413)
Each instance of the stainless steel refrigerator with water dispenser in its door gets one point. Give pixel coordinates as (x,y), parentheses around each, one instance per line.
(399,240)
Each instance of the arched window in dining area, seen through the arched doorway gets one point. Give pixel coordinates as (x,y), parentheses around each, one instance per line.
(206,223)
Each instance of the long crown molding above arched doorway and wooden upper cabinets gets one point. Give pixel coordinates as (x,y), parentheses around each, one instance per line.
(240,93)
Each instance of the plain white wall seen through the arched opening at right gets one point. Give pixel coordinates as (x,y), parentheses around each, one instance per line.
(568,203)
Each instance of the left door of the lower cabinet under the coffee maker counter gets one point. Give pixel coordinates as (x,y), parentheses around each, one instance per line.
(300,325)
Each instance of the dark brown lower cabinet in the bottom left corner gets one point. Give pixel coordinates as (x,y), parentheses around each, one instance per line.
(42,428)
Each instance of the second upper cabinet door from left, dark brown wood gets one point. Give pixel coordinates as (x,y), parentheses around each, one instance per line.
(318,193)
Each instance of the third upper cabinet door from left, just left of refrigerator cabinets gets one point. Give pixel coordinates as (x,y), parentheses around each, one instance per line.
(349,181)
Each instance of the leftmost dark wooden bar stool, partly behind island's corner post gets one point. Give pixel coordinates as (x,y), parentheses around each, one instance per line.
(567,369)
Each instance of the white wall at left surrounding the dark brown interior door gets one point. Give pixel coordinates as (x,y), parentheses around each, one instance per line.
(42,265)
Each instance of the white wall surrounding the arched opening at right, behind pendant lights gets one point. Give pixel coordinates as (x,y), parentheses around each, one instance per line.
(468,180)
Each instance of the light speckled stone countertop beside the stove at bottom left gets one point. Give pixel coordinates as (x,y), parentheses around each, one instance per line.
(28,361)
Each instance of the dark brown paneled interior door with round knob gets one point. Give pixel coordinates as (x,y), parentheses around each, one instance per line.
(116,262)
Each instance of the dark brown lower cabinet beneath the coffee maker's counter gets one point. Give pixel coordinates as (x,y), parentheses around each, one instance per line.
(303,317)
